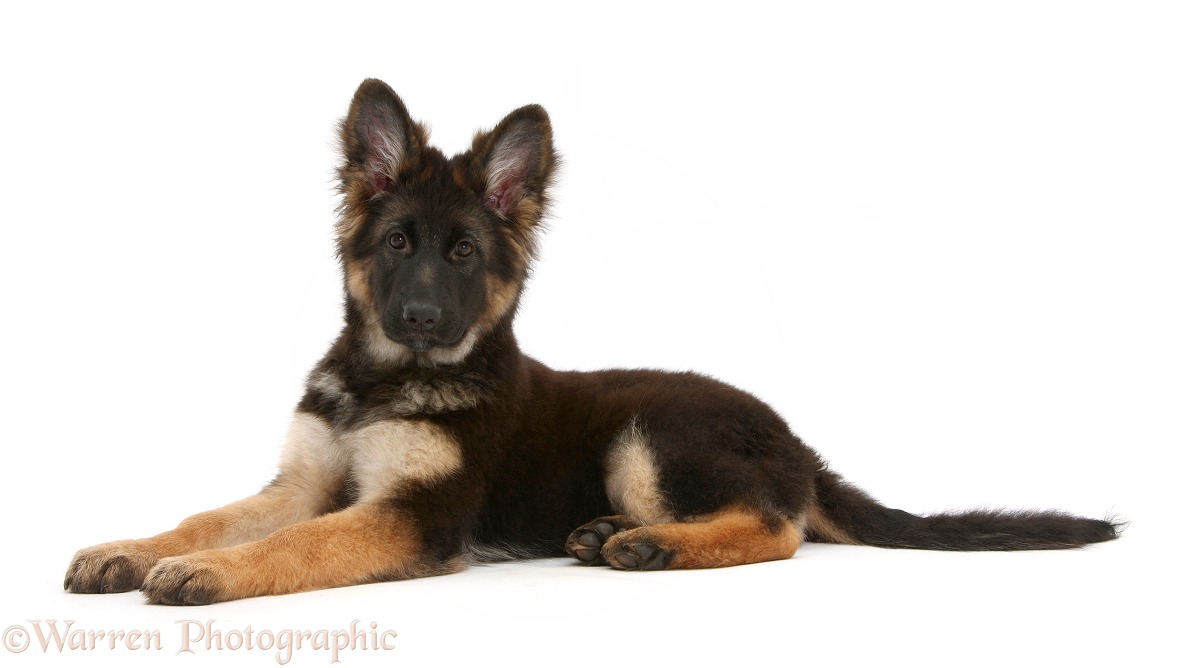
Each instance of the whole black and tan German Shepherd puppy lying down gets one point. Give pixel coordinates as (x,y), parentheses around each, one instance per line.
(427,440)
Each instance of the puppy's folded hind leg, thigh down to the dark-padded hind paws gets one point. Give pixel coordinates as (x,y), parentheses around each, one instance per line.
(702,499)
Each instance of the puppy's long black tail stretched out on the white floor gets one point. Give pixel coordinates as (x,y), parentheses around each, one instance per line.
(846,515)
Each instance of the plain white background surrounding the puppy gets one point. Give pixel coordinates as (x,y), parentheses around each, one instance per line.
(940,238)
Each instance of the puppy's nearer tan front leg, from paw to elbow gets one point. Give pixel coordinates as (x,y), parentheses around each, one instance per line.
(368,543)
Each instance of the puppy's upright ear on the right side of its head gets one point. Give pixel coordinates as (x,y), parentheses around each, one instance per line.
(517,163)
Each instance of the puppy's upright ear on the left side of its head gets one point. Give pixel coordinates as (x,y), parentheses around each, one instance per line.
(380,138)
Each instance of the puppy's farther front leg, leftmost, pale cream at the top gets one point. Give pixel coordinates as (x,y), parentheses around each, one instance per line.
(307,489)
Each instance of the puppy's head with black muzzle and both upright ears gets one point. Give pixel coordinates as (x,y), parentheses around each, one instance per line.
(436,250)
